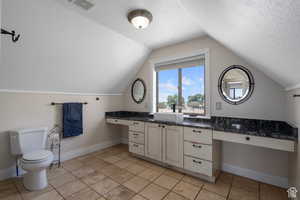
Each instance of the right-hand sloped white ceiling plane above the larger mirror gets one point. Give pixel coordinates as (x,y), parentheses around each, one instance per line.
(266,33)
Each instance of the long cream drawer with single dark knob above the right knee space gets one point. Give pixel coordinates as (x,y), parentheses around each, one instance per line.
(272,143)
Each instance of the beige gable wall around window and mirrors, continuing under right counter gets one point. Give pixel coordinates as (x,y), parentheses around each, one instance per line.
(266,103)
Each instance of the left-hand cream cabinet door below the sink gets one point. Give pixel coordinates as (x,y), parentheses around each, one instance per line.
(153,141)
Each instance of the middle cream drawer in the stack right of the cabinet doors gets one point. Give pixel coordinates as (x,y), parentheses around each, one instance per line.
(202,151)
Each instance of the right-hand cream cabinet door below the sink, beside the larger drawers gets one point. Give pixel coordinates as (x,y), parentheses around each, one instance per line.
(173,145)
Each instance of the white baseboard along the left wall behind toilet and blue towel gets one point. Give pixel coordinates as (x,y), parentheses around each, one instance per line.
(11,171)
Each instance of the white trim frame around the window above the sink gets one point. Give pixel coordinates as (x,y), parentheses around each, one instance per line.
(207,93)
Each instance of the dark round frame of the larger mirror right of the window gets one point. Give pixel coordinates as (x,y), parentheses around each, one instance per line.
(251,84)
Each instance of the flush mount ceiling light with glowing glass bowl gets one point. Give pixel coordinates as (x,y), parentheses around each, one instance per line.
(140,18)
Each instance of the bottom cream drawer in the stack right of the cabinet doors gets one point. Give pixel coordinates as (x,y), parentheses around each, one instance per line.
(198,166)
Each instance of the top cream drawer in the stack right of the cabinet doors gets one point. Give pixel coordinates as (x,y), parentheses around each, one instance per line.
(198,135)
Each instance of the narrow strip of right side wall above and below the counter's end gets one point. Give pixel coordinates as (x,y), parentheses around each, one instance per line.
(293,116)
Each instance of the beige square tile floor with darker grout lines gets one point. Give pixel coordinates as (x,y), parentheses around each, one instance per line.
(113,174)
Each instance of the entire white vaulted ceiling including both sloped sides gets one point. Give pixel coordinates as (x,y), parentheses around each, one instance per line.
(102,51)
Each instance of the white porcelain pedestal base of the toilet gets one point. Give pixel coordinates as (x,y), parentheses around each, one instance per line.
(35,180)
